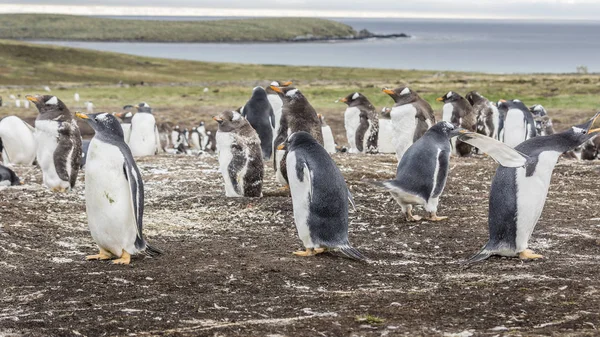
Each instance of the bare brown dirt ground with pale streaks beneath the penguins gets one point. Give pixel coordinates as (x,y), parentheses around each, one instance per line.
(228,267)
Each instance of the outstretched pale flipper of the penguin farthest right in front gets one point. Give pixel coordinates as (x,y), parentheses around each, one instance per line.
(500,152)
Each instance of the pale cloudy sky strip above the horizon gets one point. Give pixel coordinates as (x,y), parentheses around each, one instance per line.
(451,9)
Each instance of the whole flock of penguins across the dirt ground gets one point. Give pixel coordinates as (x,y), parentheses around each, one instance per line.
(278,123)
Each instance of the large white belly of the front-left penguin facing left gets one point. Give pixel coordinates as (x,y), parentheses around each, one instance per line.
(108,200)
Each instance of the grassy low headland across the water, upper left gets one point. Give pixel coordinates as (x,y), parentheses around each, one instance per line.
(68,27)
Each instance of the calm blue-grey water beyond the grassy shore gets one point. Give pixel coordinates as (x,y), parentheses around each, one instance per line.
(496,47)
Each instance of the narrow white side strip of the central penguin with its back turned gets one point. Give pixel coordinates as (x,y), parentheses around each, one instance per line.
(300,191)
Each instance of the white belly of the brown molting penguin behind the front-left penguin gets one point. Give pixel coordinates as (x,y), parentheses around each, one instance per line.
(46,136)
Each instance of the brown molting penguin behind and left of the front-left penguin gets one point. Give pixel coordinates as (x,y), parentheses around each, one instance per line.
(58,142)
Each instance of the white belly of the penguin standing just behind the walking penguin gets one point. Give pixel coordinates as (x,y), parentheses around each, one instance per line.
(404,124)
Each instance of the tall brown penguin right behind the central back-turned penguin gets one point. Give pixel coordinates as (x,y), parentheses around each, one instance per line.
(297,115)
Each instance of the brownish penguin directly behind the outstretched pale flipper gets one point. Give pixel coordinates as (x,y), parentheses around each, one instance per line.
(458,111)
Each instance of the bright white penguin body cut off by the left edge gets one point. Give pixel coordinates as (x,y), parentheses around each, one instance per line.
(17,141)
